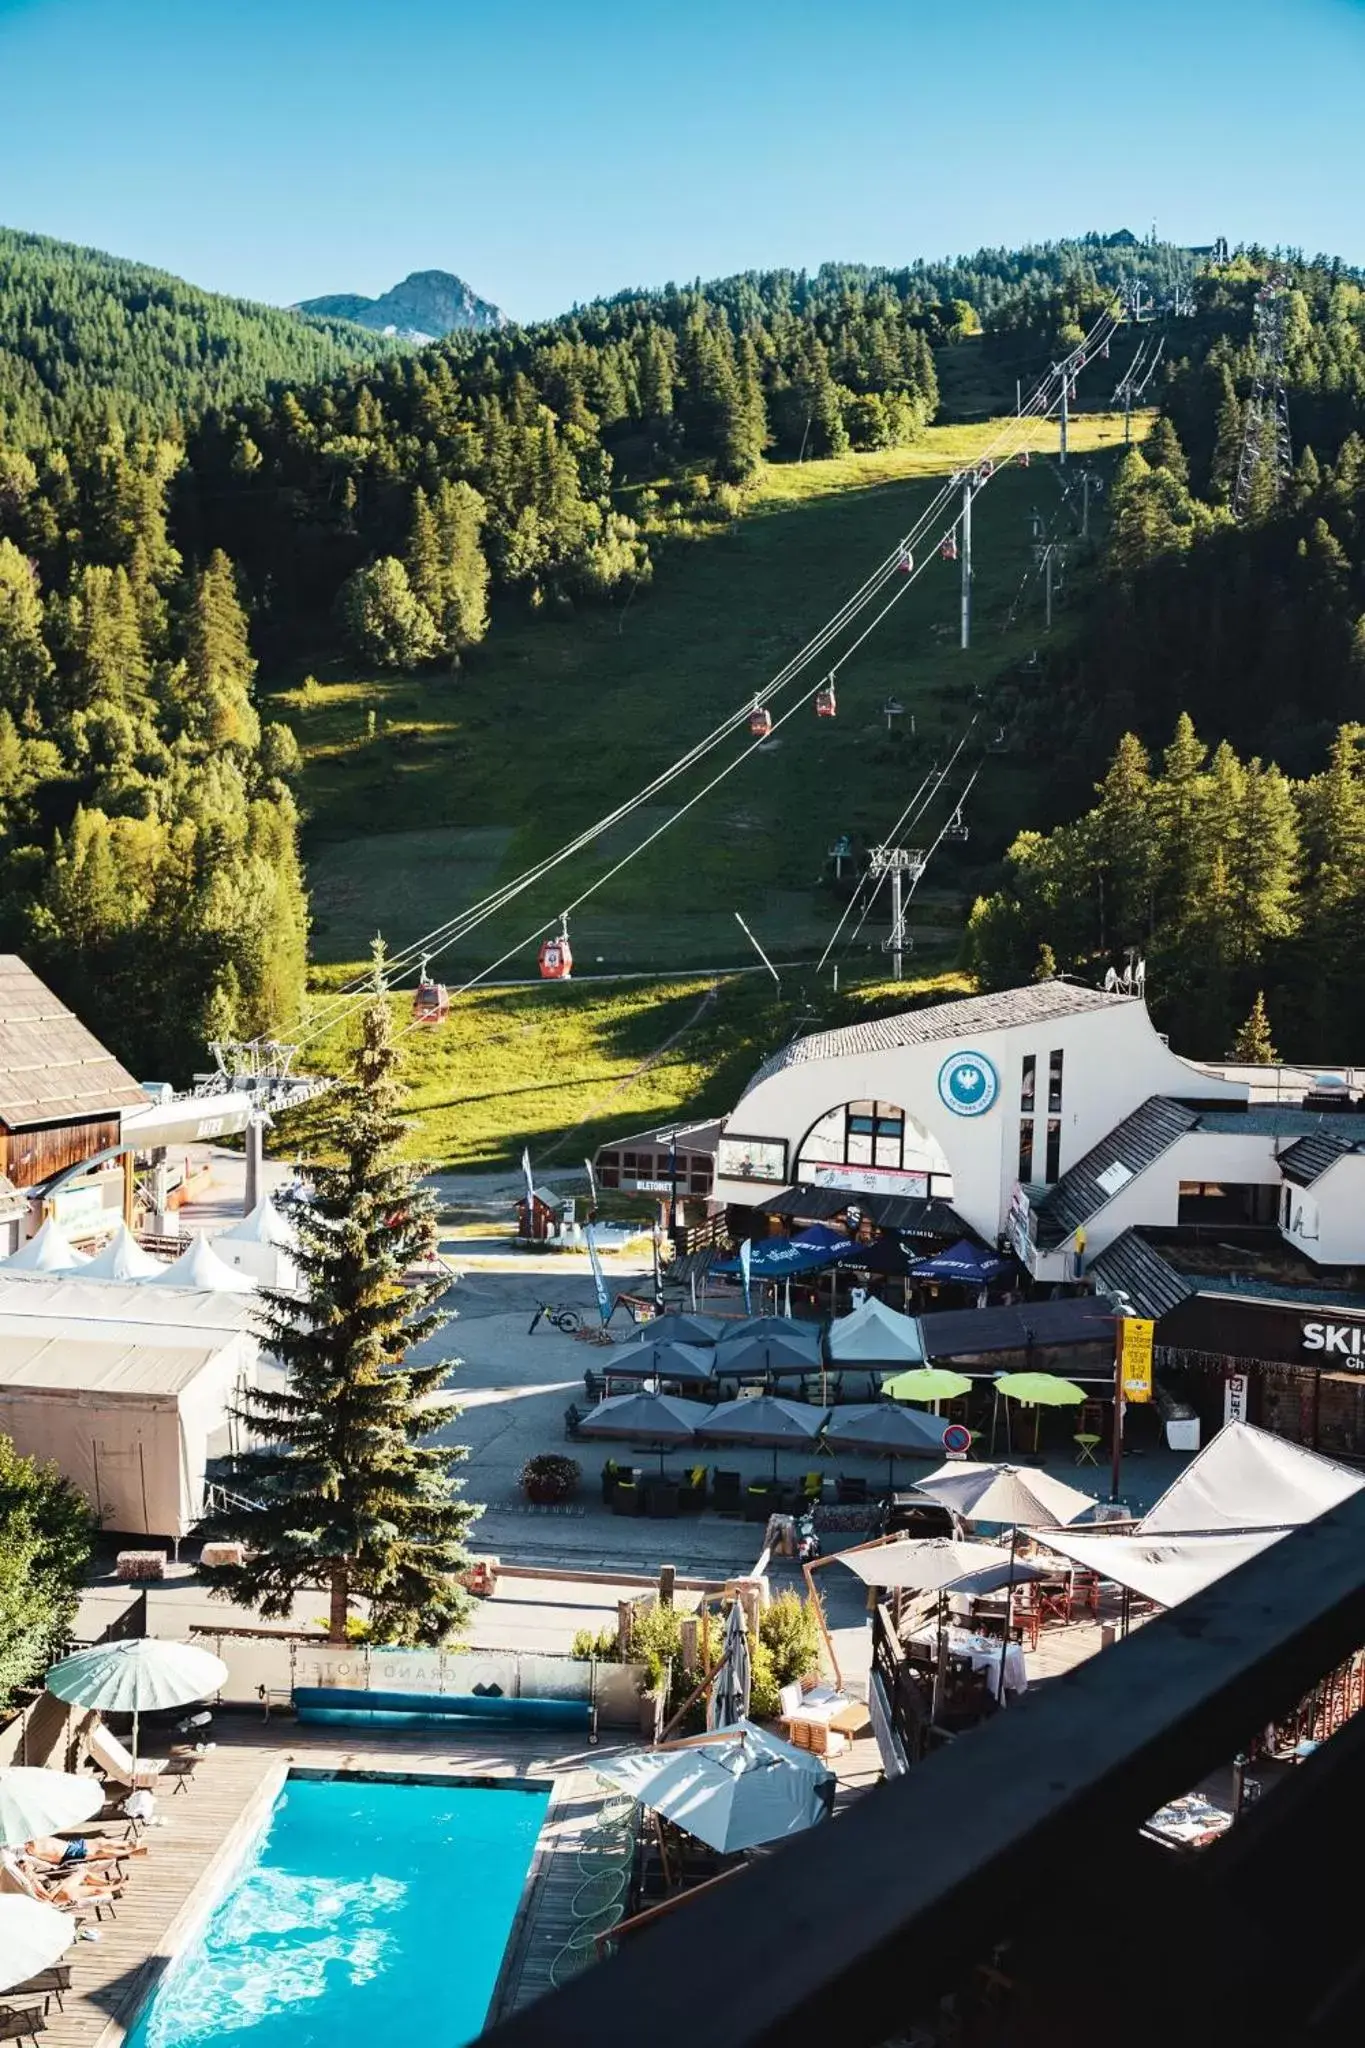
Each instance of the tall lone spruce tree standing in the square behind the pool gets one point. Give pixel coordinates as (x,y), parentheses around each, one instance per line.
(351,1492)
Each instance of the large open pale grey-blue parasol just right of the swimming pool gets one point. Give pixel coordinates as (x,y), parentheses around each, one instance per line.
(736,1791)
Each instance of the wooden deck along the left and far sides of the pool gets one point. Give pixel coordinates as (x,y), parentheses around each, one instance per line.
(210,1824)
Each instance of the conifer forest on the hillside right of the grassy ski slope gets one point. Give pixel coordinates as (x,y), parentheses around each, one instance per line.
(1237,863)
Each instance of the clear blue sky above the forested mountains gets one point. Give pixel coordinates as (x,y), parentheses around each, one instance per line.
(566,148)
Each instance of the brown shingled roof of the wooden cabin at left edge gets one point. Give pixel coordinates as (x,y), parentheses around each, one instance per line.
(52,1068)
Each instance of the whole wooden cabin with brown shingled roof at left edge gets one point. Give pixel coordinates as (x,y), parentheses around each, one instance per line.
(62,1095)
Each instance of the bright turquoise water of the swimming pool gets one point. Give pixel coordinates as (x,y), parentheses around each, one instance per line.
(367,1914)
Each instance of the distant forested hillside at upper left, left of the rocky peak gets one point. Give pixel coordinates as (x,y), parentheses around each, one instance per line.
(89,337)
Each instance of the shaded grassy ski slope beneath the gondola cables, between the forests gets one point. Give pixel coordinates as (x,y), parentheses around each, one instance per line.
(554,722)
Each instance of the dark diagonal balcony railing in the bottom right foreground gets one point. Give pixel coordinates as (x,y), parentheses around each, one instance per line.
(1014,1861)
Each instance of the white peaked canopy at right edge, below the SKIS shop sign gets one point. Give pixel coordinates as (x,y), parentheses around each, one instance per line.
(1247,1480)
